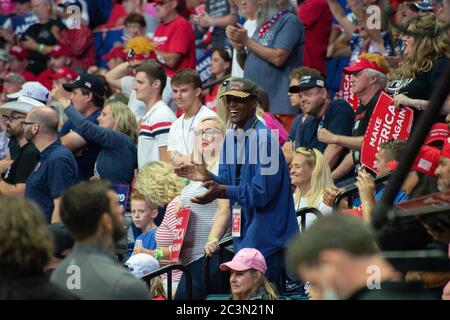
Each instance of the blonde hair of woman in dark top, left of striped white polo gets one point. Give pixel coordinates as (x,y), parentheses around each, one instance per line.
(124,117)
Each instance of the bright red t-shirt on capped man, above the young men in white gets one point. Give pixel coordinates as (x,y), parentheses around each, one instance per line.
(177,36)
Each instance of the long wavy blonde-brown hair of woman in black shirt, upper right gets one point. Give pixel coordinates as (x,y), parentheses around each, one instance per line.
(427,48)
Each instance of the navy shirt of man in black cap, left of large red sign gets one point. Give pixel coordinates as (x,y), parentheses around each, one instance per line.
(338,119)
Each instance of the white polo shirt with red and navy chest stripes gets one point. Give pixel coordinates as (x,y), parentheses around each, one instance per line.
(153,132)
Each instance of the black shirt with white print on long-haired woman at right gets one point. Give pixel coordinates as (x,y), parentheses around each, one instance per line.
(419,87)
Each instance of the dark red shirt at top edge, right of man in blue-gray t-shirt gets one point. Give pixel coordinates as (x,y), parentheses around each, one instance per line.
(316,18)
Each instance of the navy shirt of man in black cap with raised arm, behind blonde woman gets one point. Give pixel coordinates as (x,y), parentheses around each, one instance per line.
(88,154)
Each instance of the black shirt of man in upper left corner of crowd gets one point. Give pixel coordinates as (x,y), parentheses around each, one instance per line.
(42,34)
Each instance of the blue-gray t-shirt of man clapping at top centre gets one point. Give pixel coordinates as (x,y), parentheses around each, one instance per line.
(286,33)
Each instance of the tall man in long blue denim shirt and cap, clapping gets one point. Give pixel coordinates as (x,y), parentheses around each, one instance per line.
(258,186)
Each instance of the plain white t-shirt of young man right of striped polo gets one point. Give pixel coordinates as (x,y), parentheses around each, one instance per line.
(181,134)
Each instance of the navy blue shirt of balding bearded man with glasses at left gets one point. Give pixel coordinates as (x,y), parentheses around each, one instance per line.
(55,172)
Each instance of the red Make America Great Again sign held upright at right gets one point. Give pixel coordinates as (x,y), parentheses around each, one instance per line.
(386,123)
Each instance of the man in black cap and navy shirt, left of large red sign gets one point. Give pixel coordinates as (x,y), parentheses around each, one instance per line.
(336,116)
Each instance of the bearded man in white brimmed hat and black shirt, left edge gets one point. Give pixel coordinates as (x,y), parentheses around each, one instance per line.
(24,155)
